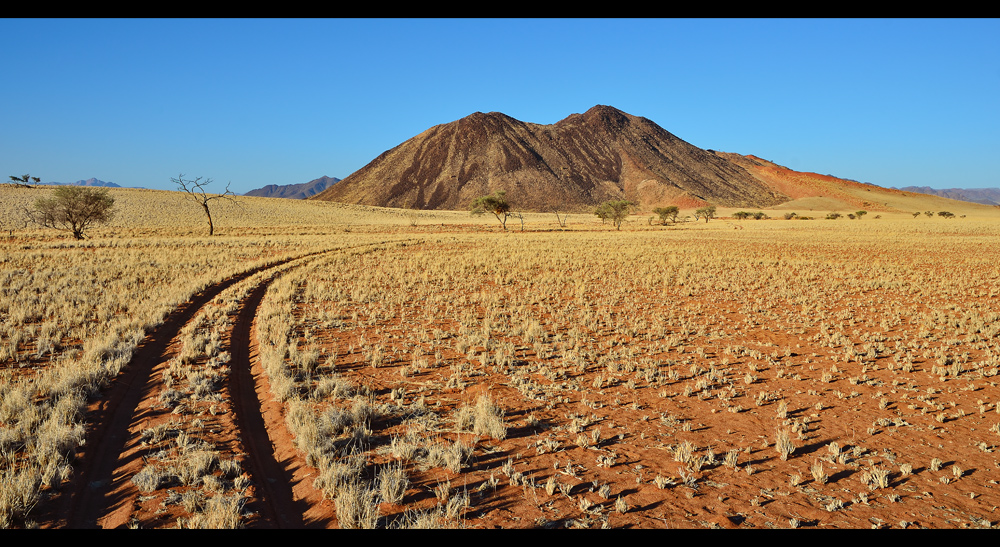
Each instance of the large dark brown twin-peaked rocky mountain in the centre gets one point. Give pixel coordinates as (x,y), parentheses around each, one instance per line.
(576,163)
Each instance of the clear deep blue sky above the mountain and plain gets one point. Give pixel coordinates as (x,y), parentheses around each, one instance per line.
(894,102)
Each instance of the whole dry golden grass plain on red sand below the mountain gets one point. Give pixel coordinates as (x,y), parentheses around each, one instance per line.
(426,369)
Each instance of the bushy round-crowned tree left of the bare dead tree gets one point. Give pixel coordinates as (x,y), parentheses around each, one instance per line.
(73,209)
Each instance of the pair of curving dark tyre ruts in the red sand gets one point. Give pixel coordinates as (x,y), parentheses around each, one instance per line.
(101,493)
